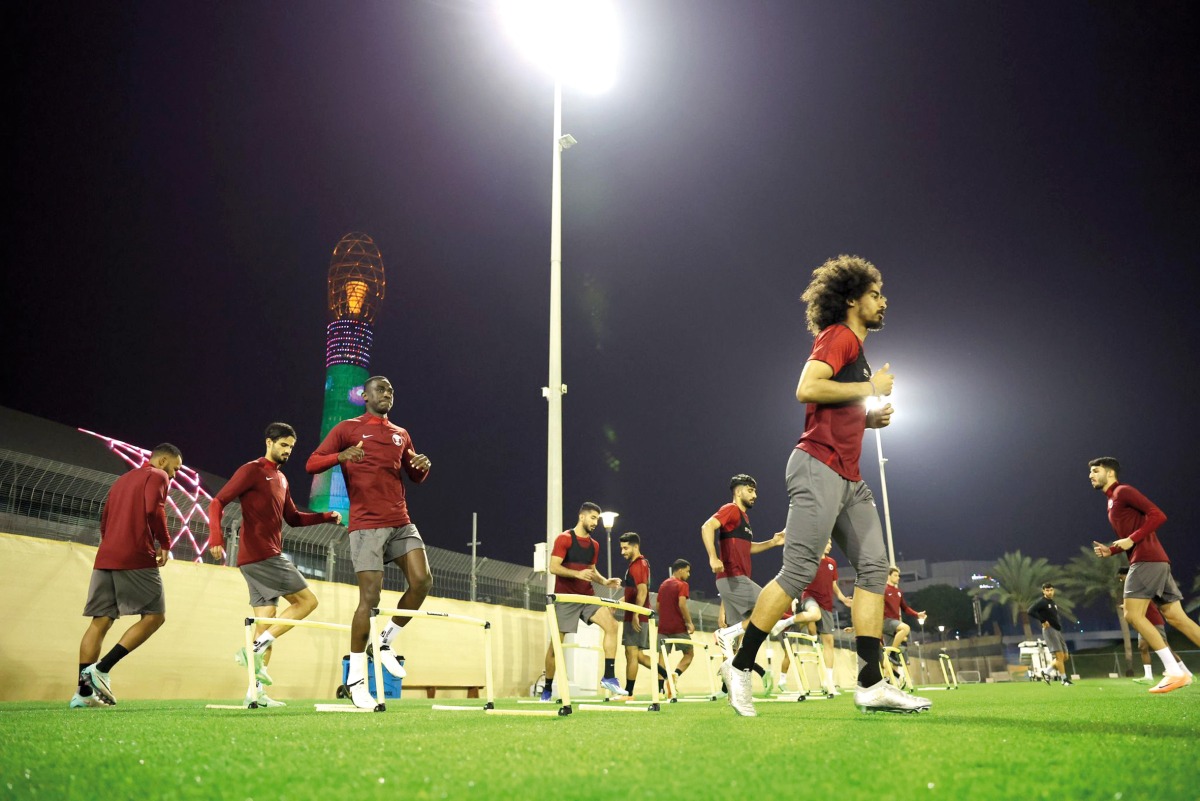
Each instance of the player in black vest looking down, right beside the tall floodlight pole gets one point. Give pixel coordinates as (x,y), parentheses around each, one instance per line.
(573,562)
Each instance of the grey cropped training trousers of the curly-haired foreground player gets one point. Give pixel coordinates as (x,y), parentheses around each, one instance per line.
(823,504)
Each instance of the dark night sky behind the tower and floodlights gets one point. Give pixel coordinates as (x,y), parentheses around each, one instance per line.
(1025,176)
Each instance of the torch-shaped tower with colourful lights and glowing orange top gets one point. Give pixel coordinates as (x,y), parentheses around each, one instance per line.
(357,287)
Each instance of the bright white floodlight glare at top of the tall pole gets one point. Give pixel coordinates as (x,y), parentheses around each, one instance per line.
(573,39)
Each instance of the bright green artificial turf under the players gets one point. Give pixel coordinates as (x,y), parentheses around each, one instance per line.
(1102,739)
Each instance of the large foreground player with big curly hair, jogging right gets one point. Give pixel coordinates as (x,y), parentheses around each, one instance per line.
(826,493)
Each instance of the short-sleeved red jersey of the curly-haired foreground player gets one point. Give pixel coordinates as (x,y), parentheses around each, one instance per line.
(833,432)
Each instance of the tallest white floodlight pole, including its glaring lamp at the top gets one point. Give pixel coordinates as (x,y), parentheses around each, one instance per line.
(575,41)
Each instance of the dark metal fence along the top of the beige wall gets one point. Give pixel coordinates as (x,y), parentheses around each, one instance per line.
(56,501)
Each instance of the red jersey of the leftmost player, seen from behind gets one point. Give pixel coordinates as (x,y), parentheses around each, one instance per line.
(135,521)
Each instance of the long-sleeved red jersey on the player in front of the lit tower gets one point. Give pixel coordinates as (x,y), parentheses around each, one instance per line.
(375,485)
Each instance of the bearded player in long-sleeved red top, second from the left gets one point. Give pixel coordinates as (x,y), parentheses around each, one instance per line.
(266,503)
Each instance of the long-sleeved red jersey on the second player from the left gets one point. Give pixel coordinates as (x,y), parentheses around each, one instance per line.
(266,503)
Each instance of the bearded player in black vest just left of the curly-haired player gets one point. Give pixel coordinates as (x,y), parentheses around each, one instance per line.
(730,544)
